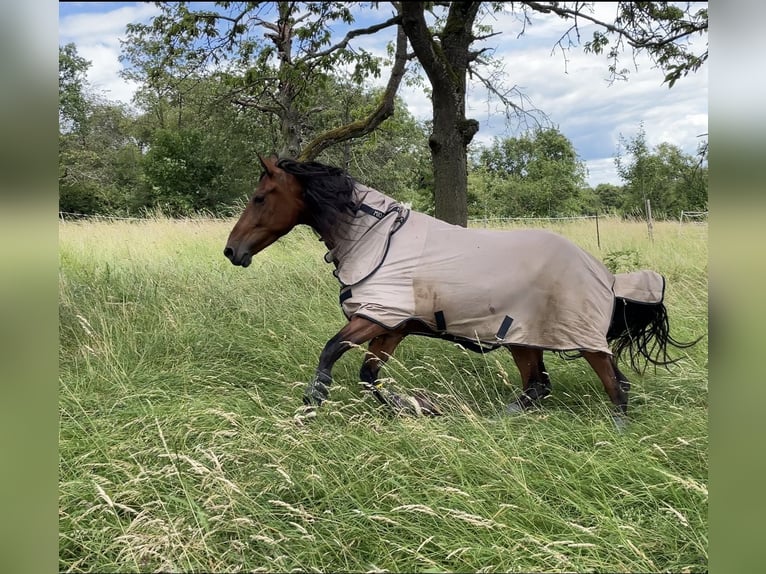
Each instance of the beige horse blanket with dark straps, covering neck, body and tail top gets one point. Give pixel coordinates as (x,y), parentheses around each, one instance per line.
(522,287)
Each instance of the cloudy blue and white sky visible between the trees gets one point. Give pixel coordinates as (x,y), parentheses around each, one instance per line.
(571,87)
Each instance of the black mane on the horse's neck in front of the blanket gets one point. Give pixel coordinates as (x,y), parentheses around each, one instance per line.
(327,191)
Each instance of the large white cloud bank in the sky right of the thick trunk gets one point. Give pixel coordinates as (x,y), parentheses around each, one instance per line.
(577,97)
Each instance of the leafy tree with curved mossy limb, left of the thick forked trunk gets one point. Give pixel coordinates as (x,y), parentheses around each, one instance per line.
(272,76)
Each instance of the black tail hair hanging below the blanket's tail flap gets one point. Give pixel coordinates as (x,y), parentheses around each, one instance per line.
(643,330)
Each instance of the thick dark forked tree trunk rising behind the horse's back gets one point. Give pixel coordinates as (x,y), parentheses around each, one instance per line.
(446,64)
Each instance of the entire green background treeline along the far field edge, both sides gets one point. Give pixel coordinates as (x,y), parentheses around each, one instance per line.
(190,149)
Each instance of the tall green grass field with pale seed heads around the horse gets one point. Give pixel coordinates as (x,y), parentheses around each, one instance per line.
(180,376)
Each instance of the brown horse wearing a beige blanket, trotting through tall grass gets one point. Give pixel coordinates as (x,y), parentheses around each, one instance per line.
(405,273)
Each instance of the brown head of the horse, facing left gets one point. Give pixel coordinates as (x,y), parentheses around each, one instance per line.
(273,210)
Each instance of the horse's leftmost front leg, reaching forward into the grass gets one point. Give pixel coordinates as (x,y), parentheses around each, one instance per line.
(356,332)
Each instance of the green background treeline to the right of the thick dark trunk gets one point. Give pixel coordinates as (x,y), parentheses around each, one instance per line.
(540,175)
